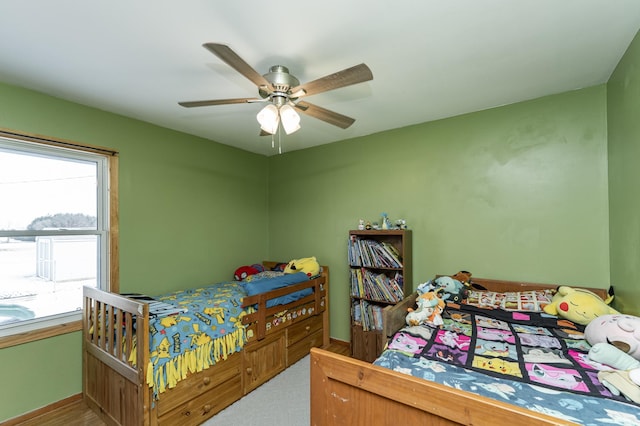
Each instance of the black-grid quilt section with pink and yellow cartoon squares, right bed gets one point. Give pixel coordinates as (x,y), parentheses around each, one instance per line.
(519,347)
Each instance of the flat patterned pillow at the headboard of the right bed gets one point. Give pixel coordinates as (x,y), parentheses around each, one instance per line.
(527,301)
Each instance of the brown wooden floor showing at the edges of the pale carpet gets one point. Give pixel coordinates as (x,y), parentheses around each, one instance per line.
(78,414)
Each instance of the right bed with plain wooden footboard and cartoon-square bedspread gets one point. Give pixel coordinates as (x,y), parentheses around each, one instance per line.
(483,367)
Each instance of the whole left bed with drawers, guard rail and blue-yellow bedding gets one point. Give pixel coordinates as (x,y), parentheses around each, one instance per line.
(184,356)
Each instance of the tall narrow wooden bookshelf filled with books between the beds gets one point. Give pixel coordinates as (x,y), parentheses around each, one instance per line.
(380,267)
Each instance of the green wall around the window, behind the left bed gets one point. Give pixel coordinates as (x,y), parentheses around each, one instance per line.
(188,214)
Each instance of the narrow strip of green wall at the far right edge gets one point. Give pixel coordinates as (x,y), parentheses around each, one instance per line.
(623,102)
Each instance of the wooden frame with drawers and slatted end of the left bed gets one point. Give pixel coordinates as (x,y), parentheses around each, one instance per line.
(117,391)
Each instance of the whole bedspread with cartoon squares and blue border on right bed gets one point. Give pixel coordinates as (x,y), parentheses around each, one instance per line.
(528,359)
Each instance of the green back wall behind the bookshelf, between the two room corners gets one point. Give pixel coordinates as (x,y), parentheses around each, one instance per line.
(517,192)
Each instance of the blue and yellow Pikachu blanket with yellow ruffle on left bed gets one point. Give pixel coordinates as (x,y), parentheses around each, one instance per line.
(209,329)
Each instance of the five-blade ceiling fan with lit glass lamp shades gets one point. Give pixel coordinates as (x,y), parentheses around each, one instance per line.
(283,91)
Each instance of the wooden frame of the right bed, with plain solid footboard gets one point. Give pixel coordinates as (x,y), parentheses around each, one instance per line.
(347,391)
